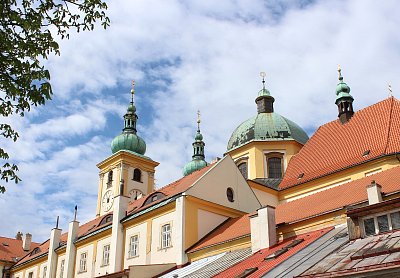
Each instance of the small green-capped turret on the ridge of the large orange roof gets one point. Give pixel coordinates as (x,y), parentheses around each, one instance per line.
(344,100)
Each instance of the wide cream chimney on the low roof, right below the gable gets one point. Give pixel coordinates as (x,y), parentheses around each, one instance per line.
(263,229)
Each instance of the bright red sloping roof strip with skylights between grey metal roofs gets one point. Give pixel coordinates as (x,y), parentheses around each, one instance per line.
(263,266)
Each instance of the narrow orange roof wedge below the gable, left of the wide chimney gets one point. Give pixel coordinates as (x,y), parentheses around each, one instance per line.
(231,229)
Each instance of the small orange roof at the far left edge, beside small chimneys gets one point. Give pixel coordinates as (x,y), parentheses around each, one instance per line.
(11,249)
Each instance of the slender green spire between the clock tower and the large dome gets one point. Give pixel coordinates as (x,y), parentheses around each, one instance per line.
(198,158)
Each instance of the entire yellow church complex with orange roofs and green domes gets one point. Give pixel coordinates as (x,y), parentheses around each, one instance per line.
(277,204)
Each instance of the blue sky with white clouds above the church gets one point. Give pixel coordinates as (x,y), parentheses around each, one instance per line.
(187,56)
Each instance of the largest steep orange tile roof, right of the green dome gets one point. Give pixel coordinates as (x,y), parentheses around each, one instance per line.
(335,146)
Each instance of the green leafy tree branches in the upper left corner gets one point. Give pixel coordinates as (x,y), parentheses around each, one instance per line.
(28,32)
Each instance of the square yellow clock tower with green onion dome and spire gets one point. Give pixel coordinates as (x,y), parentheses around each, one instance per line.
(127,167)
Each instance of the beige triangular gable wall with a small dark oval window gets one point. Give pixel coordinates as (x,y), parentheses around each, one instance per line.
(214,184)
